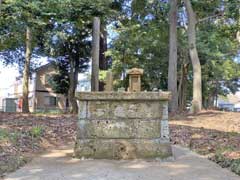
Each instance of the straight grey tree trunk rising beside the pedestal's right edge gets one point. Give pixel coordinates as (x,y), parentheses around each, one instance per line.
(172,66)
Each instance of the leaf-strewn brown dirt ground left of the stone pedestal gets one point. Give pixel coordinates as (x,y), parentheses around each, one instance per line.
(23,136)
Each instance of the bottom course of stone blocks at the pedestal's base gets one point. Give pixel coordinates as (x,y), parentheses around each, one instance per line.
(122,148)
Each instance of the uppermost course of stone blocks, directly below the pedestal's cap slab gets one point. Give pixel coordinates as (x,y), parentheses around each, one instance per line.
(120,109)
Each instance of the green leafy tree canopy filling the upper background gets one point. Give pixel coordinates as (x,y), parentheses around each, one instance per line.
(138,36)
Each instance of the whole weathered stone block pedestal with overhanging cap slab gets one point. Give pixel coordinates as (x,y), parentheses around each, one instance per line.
(123,125)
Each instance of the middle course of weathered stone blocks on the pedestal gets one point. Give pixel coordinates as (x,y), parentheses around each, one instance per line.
(124,129)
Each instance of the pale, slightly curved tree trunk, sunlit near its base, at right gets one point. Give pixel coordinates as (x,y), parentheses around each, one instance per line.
(197,74)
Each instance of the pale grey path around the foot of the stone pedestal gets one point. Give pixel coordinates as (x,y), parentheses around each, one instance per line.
(58,165)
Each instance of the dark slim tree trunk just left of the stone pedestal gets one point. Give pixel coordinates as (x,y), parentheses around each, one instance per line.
(73,79)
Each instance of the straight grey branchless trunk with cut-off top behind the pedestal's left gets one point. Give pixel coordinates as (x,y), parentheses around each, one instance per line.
(95,54)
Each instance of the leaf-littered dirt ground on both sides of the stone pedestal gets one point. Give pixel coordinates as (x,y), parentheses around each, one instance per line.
(212,133)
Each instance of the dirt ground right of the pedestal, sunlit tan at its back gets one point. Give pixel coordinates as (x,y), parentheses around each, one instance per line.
(215,134)
